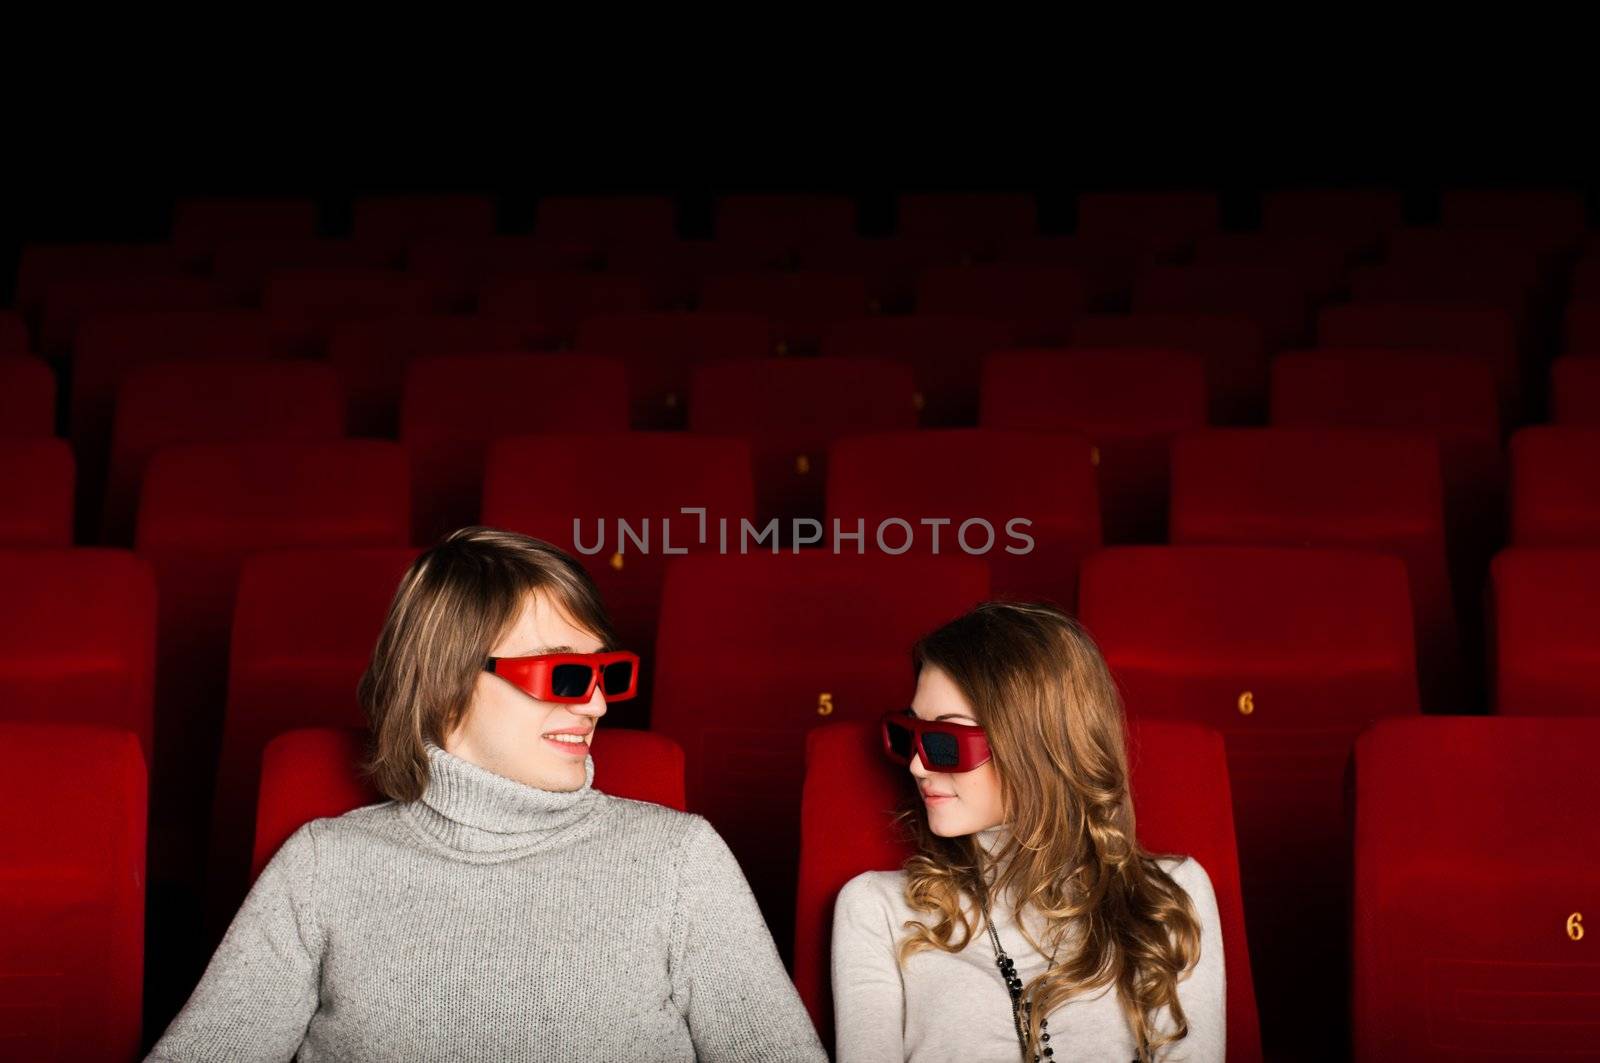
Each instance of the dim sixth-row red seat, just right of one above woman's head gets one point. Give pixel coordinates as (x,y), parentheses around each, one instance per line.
(1276,299)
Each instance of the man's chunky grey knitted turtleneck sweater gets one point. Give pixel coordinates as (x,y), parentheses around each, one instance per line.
(497,921)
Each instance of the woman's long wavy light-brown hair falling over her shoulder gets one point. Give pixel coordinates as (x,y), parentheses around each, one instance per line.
(1057,731)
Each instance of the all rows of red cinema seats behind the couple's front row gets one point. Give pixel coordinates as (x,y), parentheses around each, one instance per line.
(823,374)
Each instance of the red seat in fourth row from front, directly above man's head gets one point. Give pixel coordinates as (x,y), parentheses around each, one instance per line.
(454,407)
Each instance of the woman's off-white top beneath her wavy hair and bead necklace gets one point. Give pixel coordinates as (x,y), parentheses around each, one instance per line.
(953,1008)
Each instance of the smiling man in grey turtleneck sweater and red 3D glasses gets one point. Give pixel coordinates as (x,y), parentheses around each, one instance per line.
(498,907)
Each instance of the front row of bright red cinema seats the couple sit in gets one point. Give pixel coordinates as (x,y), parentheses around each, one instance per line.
(1473,846)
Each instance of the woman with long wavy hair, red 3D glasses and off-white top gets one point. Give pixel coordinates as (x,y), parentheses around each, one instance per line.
(1030,923)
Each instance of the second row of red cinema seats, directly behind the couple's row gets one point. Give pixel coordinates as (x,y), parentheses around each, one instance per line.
(1287,652)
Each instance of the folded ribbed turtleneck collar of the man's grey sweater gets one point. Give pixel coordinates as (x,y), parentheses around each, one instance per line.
(486,817)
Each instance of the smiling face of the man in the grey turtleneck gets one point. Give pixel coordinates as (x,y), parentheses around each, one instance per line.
(508,732)
